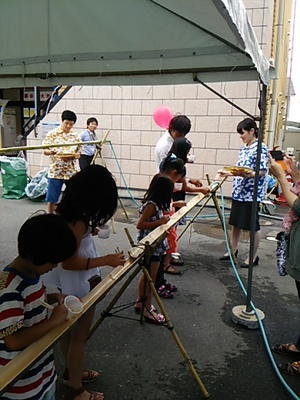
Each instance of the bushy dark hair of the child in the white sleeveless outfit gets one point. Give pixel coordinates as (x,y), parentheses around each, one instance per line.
(90,196)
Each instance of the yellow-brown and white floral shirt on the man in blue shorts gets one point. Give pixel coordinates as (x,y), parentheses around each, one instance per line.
(61,167)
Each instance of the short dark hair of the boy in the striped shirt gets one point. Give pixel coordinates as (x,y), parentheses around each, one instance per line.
(46,238)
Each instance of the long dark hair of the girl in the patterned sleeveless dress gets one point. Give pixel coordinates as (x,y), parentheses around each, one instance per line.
(160,192)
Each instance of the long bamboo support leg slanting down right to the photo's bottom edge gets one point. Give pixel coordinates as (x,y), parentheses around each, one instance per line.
(174,334)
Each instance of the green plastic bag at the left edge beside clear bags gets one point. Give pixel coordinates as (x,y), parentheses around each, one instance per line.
(14,177)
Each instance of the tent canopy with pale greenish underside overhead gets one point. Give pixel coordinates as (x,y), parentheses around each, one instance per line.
(126,42)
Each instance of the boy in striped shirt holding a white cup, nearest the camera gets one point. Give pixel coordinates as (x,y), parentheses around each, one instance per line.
(43,241)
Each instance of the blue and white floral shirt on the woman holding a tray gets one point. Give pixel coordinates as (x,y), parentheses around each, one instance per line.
(243,188)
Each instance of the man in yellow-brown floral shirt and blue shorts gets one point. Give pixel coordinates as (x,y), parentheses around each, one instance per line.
(63,160)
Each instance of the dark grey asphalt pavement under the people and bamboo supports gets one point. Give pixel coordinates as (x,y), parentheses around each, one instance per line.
(142,361)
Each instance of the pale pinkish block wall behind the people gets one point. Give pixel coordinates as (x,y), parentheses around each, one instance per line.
(128,113)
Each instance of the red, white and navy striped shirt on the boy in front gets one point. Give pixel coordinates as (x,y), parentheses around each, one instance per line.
(20,307)
